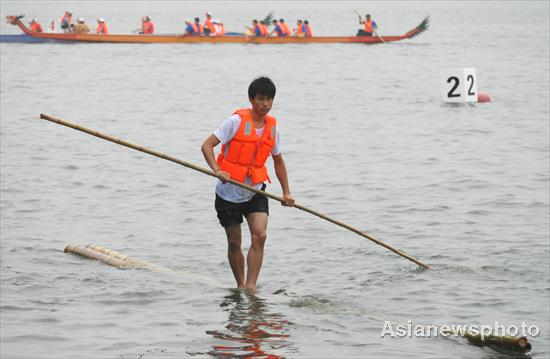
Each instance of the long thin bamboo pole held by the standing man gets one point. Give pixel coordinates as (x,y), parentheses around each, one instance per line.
(210,173)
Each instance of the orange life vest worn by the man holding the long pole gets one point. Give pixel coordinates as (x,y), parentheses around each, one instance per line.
(248,152)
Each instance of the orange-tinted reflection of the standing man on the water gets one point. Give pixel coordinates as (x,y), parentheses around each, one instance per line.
(252,330)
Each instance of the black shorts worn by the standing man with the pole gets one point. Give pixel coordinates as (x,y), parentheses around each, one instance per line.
(230,213)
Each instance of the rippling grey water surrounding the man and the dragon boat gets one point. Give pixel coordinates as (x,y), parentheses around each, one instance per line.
(366,140)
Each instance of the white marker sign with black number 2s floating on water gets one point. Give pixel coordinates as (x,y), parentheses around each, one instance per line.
(459,85)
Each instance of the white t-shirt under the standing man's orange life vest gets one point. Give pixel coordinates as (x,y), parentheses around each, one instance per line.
(225,133)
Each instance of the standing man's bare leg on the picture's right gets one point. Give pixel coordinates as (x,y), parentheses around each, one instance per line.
(257,223)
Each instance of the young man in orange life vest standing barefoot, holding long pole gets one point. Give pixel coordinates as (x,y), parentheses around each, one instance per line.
(248,138)
